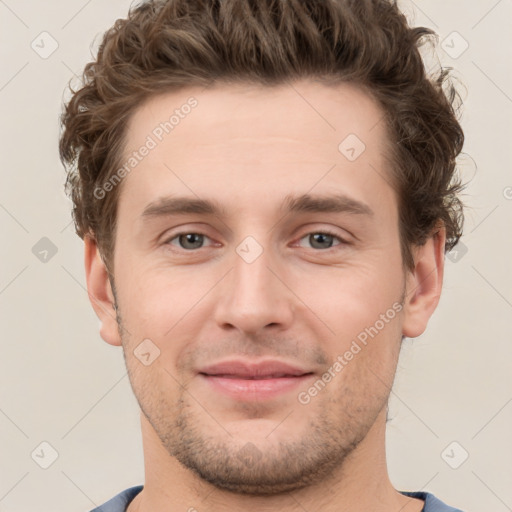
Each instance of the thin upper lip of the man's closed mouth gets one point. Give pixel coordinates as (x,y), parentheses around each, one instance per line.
(248,370)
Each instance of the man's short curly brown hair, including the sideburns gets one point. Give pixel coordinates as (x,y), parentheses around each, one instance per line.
(166,45)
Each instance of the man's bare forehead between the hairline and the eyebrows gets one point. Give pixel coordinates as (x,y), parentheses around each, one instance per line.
(251,145)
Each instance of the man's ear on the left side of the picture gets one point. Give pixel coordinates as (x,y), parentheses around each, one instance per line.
(100,292)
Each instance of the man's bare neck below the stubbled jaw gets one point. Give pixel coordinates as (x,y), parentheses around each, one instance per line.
(362,483)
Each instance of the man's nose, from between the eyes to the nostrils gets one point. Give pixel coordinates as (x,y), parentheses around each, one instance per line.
(254,295)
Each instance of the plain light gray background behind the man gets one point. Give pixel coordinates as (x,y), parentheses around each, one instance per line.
(61,384)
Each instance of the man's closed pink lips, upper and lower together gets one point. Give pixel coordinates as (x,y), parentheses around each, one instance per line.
(243,380)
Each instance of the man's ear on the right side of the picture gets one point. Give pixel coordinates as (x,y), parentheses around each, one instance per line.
(424,284)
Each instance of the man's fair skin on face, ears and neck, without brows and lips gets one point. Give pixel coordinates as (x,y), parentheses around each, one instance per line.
(303,300)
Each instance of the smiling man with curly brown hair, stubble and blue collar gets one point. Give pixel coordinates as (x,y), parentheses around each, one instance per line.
(265,191)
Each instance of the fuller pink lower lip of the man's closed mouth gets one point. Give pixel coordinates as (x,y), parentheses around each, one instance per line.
(255,389)
